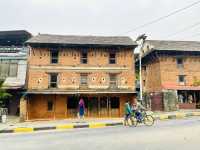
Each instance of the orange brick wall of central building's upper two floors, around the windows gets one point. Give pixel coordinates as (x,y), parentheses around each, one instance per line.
(98,76)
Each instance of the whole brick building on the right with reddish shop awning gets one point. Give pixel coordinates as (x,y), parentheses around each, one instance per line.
(171,75)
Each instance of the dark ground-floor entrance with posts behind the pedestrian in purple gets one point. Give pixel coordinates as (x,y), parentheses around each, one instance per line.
(95,106)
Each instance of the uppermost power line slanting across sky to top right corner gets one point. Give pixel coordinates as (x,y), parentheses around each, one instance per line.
(163,17)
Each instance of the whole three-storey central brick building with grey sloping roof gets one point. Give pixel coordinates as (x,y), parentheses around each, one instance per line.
(63,69)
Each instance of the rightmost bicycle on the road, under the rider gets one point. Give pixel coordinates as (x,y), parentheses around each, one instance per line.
(148,120)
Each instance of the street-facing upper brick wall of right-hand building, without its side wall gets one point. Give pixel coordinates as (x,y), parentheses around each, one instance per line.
(170,71)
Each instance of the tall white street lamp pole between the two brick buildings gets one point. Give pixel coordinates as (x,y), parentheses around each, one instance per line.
(141,40)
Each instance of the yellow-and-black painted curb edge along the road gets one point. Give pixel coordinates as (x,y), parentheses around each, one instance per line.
(95,125)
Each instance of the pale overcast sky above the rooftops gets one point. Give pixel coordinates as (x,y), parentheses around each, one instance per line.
(102,17)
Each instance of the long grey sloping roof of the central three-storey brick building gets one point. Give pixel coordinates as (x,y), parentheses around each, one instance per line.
(81,40)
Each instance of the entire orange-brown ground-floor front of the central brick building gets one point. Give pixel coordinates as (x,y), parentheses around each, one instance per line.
(57,106)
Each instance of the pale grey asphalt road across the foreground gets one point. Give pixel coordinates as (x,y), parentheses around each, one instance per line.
(181,134)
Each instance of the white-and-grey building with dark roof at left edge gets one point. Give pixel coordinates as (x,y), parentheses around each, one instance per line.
(13,63)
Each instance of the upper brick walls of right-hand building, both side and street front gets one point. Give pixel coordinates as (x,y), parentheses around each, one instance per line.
(164,71)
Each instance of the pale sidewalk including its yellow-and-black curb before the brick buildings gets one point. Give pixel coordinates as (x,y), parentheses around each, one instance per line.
(13,125)
